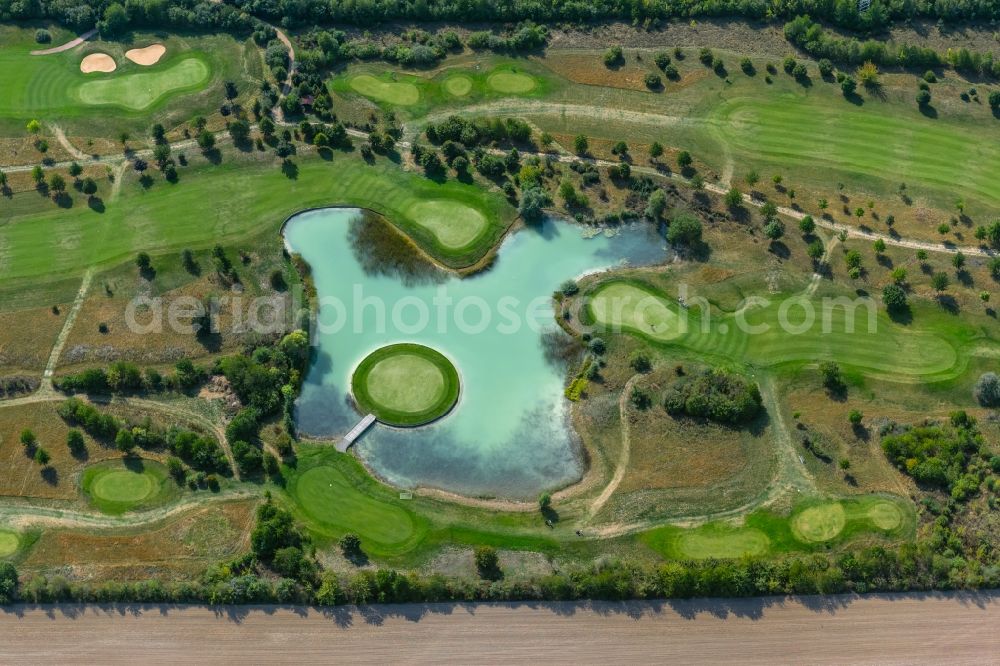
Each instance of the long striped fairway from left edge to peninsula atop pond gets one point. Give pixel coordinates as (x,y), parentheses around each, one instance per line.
(226,204)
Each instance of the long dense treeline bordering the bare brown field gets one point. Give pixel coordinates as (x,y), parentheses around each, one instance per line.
(874,569)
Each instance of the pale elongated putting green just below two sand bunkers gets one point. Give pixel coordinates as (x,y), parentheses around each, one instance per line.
(140,90)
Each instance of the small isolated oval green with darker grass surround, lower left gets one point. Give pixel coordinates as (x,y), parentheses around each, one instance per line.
(117,486)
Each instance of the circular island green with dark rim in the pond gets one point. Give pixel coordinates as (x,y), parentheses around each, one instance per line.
(405,384)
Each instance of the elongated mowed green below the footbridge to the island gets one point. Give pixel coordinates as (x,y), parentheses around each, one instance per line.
(327,497)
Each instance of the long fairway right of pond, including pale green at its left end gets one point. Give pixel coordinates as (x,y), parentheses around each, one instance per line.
(927,348)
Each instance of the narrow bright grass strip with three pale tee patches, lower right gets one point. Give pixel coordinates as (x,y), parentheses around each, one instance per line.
(811,525)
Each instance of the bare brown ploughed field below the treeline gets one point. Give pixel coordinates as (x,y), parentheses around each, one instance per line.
(885,629)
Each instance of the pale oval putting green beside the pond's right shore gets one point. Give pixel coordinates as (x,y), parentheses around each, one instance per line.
(626,305)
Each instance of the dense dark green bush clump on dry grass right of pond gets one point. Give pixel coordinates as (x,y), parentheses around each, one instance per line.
(717,395)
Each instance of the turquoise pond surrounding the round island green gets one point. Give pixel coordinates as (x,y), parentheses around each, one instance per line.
(509,434)
